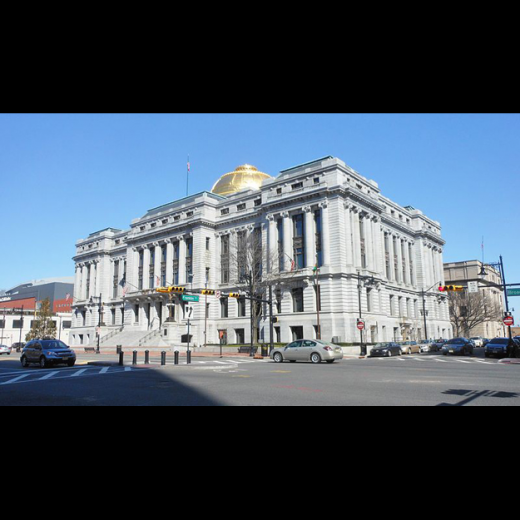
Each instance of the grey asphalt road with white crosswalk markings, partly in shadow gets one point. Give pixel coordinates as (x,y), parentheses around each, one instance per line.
(417,380)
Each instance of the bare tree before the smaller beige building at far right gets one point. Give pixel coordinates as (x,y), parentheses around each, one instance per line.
(468,311)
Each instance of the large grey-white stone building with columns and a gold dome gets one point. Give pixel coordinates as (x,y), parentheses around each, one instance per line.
(323,213)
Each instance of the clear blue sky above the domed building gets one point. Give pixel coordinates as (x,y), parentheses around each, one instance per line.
(64,176)
